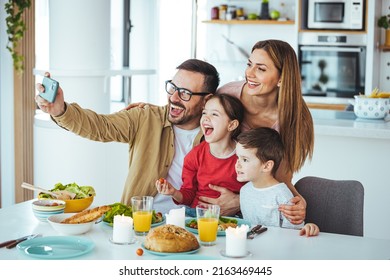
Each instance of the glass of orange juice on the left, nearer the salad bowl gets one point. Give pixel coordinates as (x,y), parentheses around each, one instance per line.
(142,214)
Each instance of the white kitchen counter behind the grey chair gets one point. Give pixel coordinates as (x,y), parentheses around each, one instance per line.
(347,148)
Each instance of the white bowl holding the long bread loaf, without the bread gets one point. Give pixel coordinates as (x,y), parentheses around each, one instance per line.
(68,229)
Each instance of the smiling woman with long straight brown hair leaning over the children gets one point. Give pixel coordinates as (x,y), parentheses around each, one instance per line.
(272,97)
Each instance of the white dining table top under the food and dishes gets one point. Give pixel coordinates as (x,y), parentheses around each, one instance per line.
(274,244)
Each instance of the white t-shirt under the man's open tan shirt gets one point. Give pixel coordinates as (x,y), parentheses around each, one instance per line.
(184,140)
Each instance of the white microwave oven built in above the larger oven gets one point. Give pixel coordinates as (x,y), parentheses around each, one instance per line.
(335,14)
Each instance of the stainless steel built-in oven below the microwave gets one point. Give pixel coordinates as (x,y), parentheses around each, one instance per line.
(332,64)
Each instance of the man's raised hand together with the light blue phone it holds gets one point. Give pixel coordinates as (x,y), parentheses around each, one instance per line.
(50,97)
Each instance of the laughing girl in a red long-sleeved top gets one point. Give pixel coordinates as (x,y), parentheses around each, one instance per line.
(213,160)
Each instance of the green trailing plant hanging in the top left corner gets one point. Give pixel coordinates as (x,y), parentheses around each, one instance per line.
(16,28)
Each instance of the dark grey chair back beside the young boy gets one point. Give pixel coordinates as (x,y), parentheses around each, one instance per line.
(336,206)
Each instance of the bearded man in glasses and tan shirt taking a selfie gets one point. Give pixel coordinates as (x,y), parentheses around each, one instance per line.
(158,137)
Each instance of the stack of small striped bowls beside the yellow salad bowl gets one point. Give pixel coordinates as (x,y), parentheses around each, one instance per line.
(45,208)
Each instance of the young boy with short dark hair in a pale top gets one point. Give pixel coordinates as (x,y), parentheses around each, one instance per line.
(259,153)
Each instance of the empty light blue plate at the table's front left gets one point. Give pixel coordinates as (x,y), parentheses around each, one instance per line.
(56,247)
